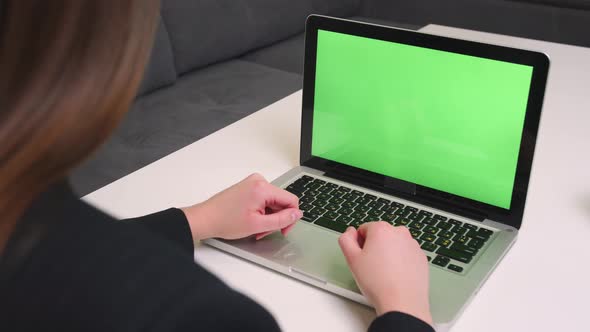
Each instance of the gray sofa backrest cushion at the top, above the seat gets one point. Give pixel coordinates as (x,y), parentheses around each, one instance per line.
(209,31)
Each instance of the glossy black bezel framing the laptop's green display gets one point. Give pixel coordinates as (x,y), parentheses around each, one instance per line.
(422,194)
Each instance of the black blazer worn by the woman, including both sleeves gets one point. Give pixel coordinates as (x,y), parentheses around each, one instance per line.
(71,267)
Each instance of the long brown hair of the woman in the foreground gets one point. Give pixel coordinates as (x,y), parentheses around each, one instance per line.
(69,70)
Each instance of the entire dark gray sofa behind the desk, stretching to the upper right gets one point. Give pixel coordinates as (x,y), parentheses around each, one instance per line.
(216,61)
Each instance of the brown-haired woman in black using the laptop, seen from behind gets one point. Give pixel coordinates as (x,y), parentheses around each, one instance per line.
(70,69)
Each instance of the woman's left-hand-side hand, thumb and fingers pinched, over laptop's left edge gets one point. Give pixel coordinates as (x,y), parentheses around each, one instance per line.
(252,206)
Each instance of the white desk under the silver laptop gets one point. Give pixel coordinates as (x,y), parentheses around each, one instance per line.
(542,284)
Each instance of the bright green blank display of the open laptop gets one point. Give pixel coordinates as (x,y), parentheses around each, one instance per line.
(447,121)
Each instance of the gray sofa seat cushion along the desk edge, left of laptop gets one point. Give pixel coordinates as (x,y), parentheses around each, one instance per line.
(170,118)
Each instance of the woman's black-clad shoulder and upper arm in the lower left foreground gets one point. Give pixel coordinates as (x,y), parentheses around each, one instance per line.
(91,272)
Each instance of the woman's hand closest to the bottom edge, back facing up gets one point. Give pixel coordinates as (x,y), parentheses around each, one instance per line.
(389,267)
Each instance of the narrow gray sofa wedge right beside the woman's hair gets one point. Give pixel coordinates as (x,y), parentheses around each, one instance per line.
(160,71)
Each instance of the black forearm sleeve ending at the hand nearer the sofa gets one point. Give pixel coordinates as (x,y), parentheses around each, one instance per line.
(171,225)
